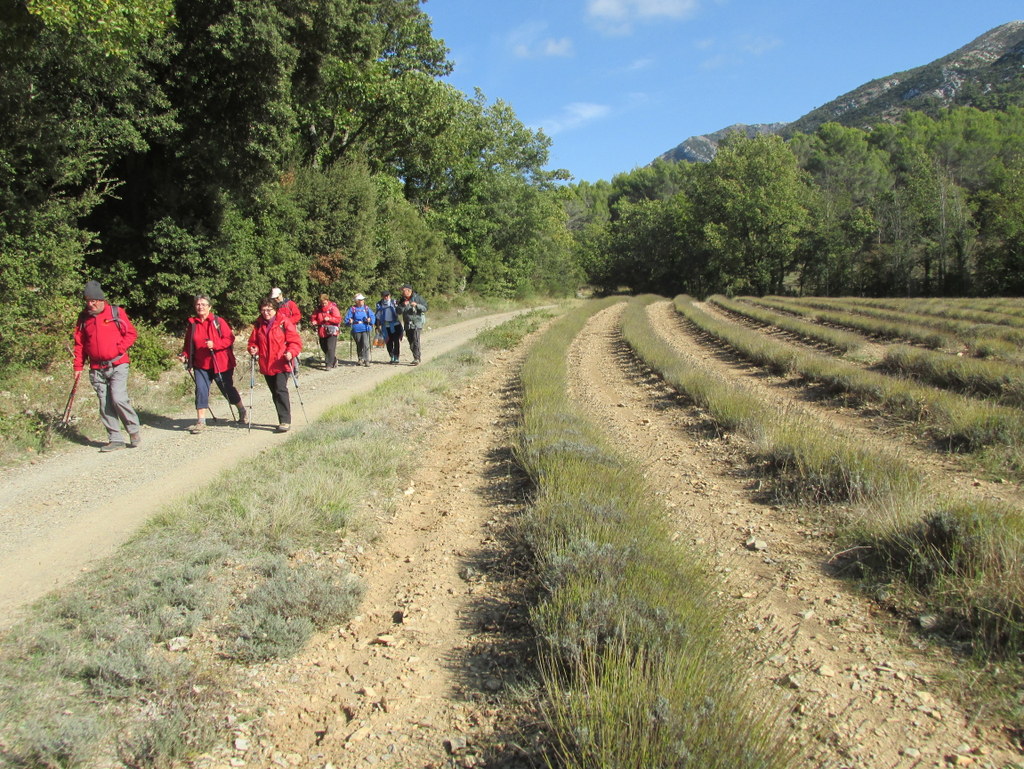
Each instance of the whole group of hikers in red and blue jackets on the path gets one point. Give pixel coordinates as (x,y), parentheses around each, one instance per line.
(104,334)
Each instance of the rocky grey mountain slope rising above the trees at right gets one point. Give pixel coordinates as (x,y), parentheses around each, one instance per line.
(989,73)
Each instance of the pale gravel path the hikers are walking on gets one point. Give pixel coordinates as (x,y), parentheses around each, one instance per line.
(68,510)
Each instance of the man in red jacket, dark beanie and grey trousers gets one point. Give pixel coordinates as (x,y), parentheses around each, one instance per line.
(103,336)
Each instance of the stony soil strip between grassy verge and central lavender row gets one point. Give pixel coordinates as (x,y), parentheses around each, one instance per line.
(418,678)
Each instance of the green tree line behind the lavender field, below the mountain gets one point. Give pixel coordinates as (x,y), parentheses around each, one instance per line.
(930,207)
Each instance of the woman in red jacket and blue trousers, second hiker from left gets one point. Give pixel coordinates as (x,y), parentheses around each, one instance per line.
(210,357)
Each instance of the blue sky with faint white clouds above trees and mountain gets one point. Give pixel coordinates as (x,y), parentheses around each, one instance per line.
(616,83)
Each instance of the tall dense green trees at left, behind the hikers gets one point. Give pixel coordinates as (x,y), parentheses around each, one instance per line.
(172,147)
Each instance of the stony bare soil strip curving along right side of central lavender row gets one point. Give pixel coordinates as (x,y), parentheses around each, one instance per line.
(859,690)
